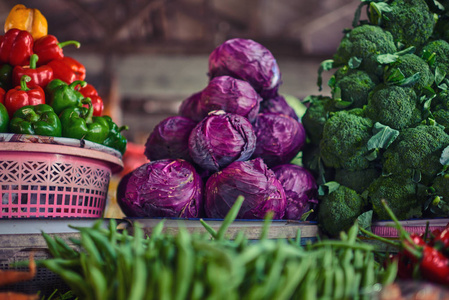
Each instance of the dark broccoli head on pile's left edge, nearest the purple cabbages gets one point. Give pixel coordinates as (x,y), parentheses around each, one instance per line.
(315,116)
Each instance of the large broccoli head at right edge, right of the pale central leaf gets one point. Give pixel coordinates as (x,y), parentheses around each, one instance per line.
(416,151)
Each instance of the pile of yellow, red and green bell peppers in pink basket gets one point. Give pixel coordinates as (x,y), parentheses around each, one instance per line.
(44,92)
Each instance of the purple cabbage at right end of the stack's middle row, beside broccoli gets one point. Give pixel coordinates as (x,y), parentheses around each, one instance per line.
(279,138)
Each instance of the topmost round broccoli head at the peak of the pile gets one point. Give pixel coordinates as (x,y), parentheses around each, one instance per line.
(410,22)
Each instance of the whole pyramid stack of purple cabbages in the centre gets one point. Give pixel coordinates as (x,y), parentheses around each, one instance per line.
(235,137)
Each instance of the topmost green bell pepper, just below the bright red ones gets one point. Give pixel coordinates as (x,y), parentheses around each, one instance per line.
(61,95)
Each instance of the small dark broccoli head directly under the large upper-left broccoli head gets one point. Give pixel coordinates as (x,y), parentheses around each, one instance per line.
(352,86)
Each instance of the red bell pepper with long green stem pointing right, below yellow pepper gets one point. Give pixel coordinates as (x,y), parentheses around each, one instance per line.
(48,48)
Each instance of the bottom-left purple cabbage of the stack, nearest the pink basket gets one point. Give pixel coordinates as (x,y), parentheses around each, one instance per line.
(163,188)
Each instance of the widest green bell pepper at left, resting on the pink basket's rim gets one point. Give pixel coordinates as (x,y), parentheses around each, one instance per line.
(36,119)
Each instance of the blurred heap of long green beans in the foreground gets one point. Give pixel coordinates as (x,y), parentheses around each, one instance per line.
(109,264)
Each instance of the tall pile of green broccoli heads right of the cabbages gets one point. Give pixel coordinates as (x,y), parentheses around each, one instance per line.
(382,133)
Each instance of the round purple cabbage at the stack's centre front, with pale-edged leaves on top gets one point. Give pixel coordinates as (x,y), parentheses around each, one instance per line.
(220,139)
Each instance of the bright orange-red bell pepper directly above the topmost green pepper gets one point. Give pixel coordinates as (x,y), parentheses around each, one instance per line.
(67,69)
